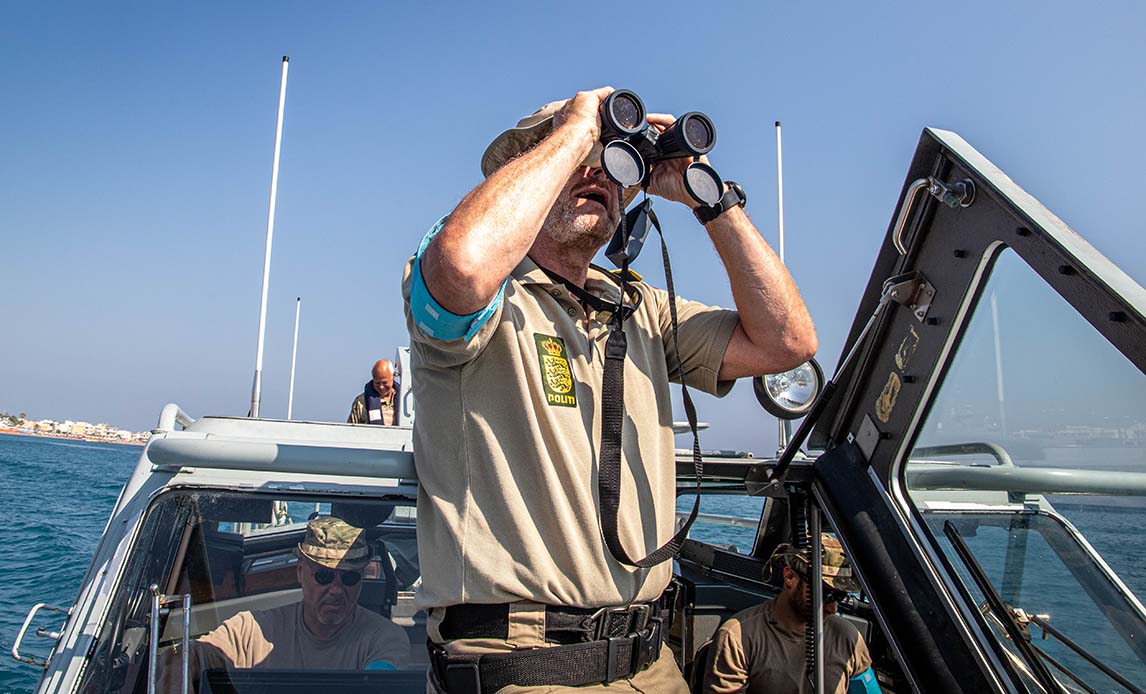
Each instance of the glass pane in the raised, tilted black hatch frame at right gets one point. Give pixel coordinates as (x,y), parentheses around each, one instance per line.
(1034,453)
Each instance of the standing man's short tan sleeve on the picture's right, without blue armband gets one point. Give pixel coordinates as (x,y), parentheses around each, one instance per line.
(703,336)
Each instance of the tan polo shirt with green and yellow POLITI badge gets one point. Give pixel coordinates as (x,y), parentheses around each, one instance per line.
(508,436)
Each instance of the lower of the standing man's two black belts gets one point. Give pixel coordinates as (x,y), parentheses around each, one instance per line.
(572,666)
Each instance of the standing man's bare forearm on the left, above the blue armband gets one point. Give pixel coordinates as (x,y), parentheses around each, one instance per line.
(493,227)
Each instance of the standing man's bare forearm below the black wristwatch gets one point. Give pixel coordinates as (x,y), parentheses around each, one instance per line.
(779,332)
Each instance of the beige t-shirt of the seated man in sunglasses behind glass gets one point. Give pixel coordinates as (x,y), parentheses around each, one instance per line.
(278,640)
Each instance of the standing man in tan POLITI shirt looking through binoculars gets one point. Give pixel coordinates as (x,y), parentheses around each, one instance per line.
(509,324)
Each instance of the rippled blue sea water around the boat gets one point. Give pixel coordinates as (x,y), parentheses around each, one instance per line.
(57,495)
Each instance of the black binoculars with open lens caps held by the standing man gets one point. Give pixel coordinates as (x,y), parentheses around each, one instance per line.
(632,147)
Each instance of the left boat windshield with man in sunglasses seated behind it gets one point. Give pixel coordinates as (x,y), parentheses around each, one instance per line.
(260,613)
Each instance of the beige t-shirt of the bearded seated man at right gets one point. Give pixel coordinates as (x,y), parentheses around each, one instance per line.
(755,653)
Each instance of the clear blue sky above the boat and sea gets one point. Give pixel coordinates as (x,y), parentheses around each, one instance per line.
(138,138)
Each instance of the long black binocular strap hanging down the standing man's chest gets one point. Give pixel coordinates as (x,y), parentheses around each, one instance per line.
(613,415)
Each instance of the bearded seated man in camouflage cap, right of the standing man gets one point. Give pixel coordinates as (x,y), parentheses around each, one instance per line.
(762,649)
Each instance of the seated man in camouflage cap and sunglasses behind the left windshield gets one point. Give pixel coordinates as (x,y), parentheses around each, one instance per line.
(327,630)
